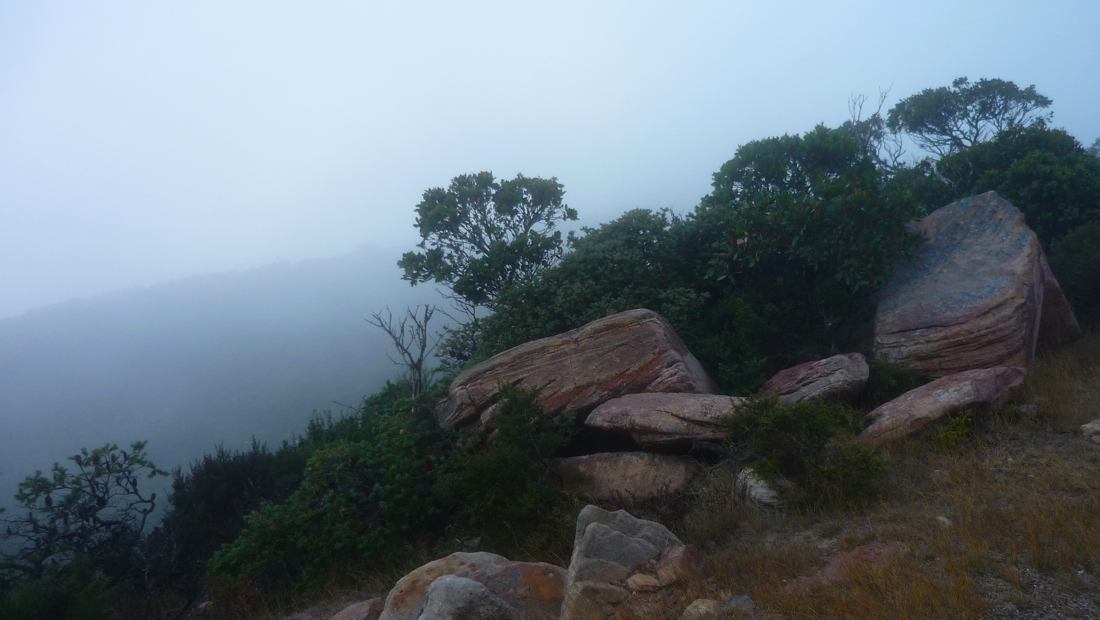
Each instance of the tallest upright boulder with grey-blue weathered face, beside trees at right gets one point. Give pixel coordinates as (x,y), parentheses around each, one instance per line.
(971,297)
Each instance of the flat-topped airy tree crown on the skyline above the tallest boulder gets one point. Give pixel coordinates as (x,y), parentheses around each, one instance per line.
(949,119)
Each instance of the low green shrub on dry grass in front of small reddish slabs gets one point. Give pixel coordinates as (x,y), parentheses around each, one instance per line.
(810,446)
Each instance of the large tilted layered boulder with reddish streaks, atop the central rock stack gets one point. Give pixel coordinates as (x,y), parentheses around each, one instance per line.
(626,353)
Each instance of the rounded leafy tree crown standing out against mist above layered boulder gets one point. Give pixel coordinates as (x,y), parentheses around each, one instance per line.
(480,237)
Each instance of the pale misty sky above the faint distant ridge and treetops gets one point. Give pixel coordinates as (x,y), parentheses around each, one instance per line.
(149,141)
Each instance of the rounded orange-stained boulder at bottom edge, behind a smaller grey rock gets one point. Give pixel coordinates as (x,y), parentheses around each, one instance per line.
(533,589)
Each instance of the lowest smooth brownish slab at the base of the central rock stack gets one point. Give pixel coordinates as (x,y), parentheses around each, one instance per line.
(628,477)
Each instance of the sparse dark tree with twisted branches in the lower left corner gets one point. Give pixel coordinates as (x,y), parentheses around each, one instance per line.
(96,514)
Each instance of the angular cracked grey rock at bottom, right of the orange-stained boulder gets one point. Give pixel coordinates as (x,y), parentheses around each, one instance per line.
(608,549)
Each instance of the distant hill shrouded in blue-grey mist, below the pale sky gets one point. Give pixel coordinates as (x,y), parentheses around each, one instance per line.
(194,363)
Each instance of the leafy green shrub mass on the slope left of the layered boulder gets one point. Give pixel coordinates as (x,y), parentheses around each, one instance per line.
(365,499)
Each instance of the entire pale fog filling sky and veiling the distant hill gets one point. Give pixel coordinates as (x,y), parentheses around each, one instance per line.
(184,186)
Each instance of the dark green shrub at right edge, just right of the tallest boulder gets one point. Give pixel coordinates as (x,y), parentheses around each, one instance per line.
(1076,264)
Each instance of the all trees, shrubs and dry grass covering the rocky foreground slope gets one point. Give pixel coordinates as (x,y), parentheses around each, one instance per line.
(778,265)
